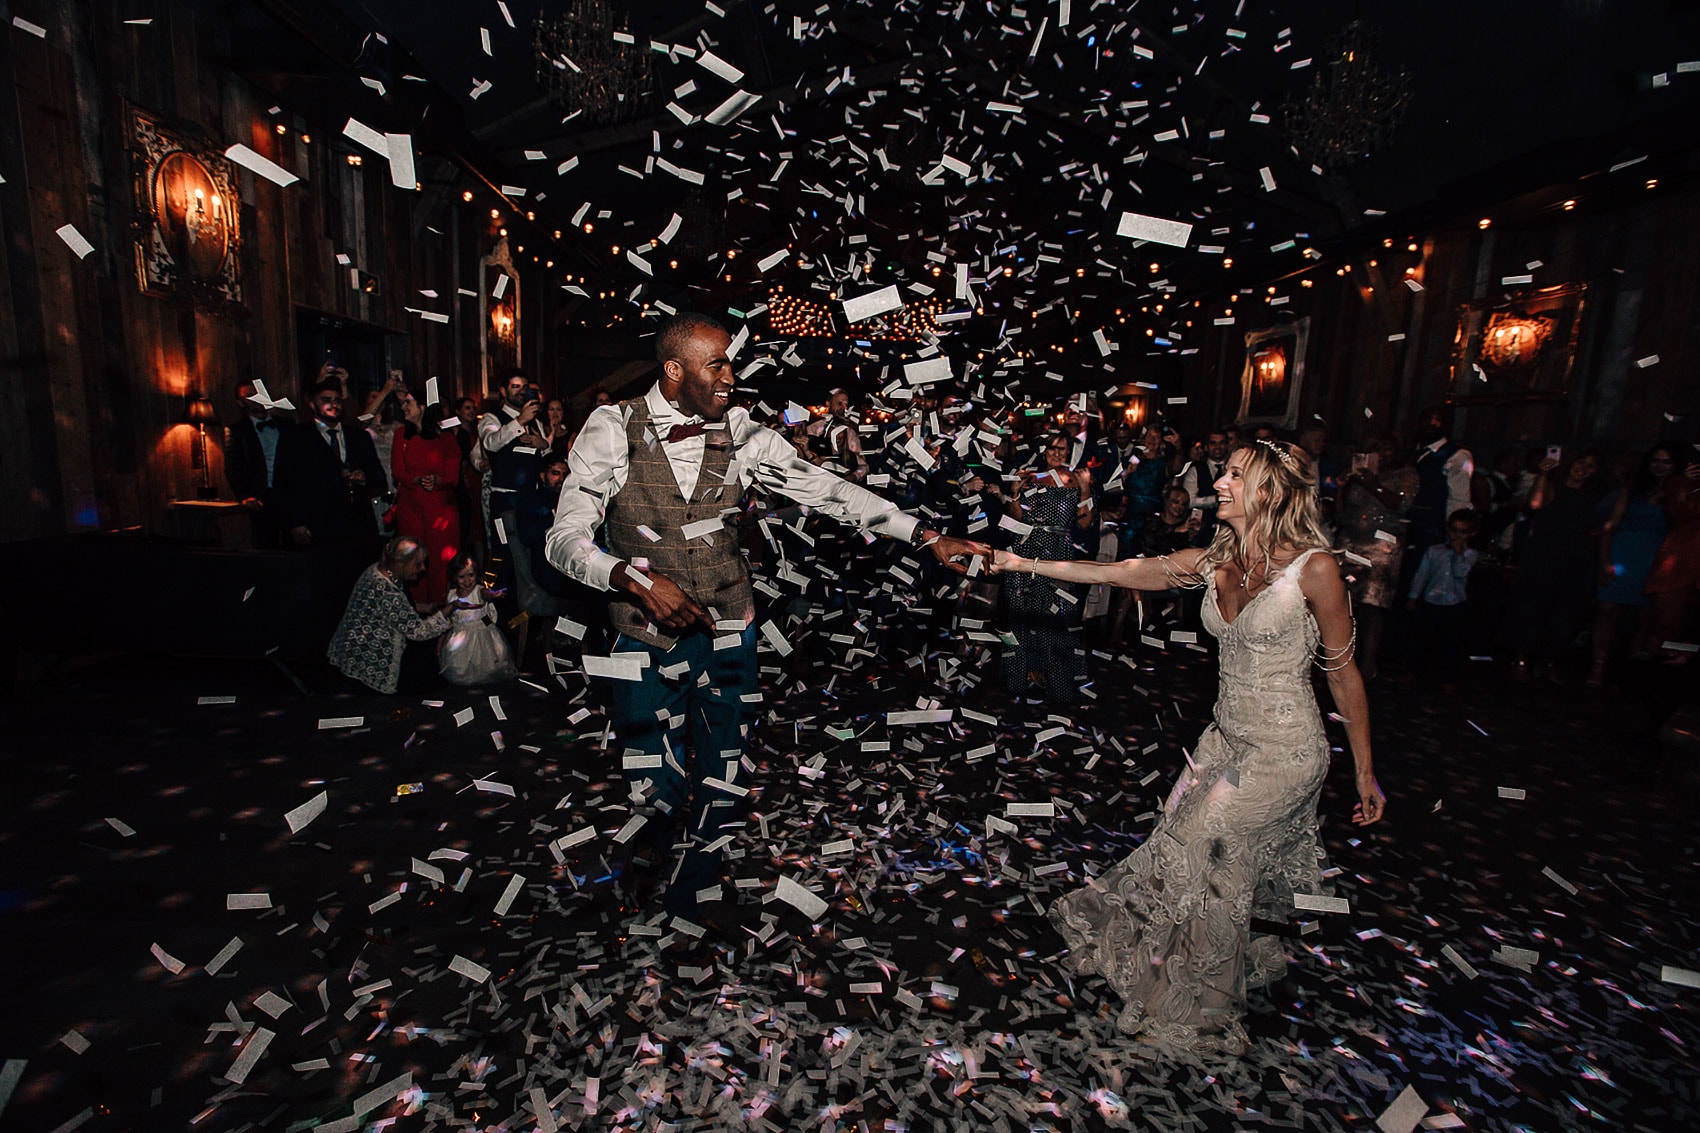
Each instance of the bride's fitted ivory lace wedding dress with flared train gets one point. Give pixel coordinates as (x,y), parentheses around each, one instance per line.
(1170,926)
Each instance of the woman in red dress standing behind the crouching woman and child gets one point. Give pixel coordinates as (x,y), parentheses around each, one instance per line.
(428,469)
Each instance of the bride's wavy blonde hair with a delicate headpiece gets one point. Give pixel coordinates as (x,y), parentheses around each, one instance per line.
(1278,487)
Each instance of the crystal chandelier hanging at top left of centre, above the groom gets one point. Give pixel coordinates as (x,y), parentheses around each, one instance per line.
(589,64)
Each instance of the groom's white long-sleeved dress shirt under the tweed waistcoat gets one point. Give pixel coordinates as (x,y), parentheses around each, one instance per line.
(598,469)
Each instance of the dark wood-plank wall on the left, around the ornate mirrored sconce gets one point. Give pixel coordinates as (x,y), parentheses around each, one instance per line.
(94,373)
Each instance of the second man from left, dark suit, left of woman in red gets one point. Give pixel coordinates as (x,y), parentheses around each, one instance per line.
(327,475)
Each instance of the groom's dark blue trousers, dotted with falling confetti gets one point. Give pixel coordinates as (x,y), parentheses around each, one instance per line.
(700,732)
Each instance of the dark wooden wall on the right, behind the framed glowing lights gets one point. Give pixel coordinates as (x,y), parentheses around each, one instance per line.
(1638,254)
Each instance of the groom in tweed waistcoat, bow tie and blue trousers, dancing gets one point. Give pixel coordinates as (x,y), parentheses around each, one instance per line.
(666,470)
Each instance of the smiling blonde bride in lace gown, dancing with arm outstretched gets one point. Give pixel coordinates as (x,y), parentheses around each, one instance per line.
(1170,926)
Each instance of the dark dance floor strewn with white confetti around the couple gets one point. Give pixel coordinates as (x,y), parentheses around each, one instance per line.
(927,996)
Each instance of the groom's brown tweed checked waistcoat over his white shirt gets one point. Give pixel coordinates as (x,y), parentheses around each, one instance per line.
(710,569)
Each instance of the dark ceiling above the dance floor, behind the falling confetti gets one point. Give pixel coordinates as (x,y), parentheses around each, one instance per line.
(859,101)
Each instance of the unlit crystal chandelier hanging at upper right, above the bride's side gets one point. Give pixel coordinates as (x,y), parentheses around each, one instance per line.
(1354,110)
